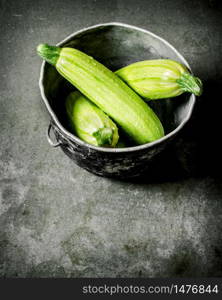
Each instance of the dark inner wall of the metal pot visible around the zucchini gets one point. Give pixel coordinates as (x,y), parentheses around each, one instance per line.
(116,46)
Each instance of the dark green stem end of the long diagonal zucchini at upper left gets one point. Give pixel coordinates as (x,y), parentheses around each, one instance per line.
(49,53)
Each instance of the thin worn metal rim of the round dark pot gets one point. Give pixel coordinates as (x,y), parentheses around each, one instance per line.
(72,137)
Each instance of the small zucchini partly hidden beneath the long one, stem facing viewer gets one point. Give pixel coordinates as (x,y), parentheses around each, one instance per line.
(89,122)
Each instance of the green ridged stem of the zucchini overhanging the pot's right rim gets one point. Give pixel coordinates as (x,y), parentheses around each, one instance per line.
(190,83)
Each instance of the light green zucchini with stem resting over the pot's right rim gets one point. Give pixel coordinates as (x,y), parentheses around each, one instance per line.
(160,78)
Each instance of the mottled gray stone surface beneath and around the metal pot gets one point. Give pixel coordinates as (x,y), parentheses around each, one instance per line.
(57,220)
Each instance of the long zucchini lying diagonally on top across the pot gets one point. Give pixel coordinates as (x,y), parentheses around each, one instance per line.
(107,91)
